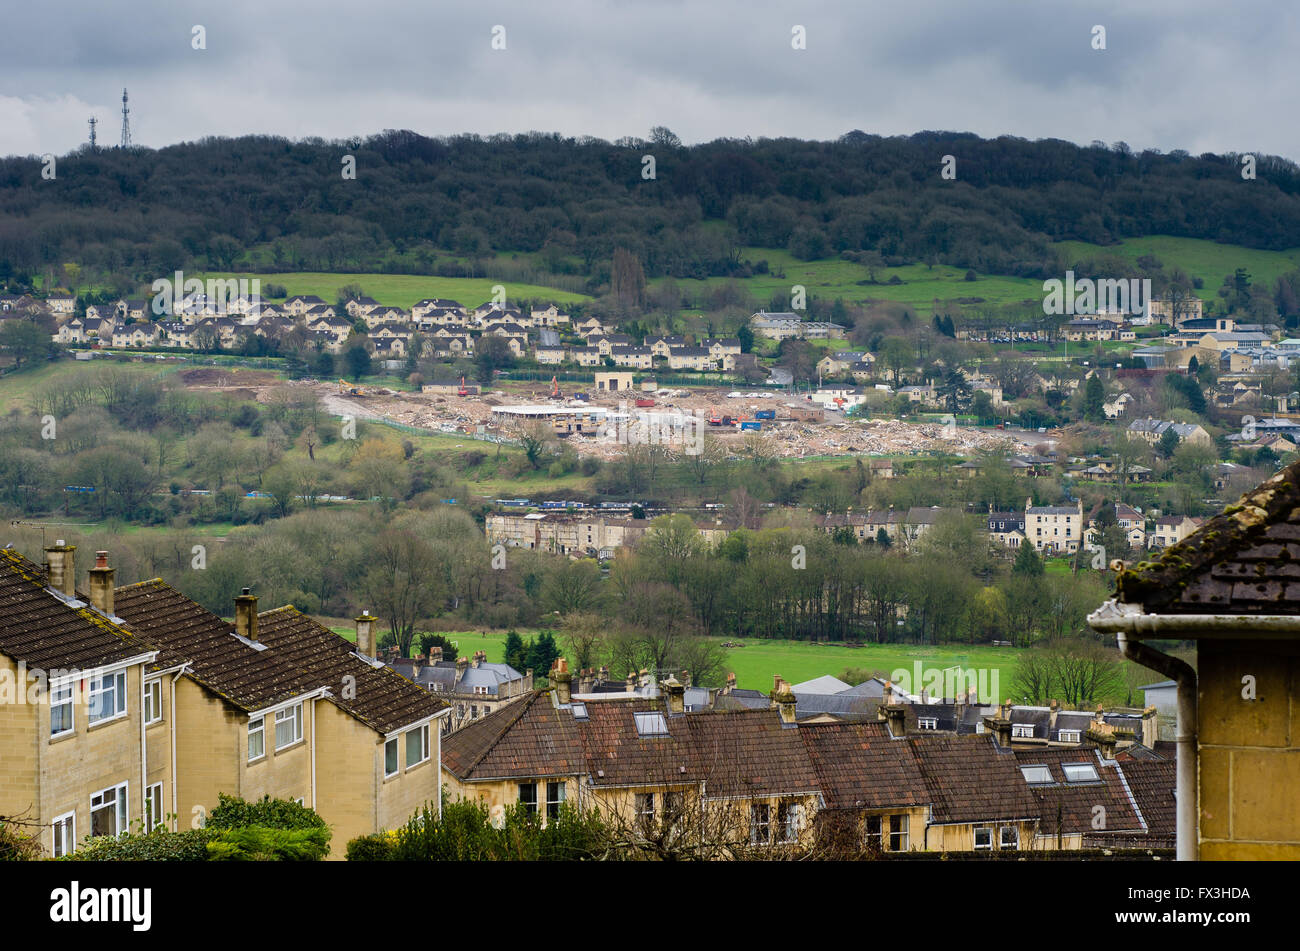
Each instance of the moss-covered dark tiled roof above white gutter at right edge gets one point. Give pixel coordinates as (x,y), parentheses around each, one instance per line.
(1243,562)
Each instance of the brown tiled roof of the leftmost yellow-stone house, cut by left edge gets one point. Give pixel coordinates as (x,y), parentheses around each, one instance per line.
(49,631)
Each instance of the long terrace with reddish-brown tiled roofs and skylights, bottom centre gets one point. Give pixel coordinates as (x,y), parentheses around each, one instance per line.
(762,779)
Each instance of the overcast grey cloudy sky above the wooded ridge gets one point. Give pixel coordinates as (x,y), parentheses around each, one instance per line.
(1188,75)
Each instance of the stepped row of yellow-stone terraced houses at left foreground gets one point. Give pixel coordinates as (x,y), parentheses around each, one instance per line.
(172,706)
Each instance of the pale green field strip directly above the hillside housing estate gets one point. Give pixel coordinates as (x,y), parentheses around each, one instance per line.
(404,290)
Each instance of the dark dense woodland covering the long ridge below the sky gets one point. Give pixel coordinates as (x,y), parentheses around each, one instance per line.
(135,215)
